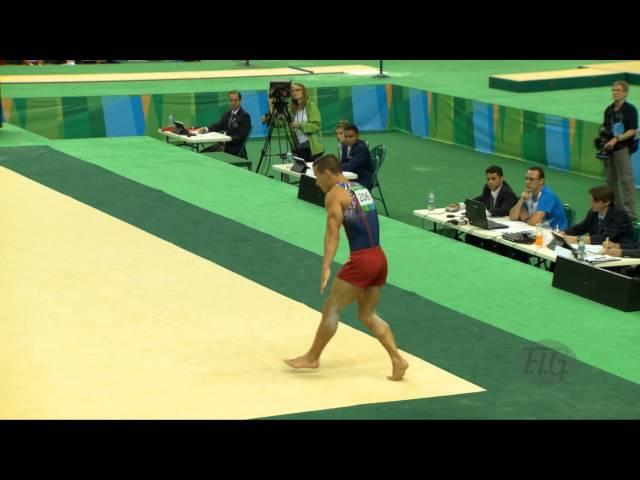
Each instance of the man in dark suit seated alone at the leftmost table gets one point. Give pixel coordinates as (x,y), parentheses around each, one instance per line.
(236,123)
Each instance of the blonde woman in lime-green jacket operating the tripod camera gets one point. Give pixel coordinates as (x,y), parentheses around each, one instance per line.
(304,118)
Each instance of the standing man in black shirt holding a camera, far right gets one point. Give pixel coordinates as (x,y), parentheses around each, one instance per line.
(620,126)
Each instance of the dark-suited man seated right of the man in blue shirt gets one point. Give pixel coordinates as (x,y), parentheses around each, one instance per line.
(604,221)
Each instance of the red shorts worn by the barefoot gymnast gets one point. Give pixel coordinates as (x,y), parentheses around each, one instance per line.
(365,268)
